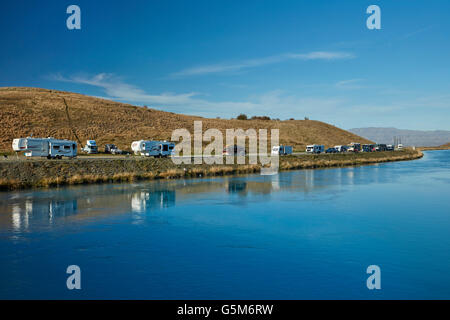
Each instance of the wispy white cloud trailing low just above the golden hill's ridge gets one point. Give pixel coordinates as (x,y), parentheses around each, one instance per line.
(269,103)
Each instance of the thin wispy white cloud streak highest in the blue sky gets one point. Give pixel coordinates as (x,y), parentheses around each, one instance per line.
(252,63)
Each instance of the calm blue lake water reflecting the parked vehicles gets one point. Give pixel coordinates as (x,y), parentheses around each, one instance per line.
(306,234)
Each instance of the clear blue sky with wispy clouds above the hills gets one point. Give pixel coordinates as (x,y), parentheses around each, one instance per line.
(220,58)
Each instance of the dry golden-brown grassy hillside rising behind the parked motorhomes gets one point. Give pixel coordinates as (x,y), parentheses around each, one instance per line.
(42,112)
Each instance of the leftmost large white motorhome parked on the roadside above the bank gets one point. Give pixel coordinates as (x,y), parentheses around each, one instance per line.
(45,147)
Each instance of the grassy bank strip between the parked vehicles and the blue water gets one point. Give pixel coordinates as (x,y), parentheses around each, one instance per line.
(21,174)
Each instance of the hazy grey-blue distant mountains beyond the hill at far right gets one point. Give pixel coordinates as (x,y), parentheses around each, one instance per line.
(408,137)
